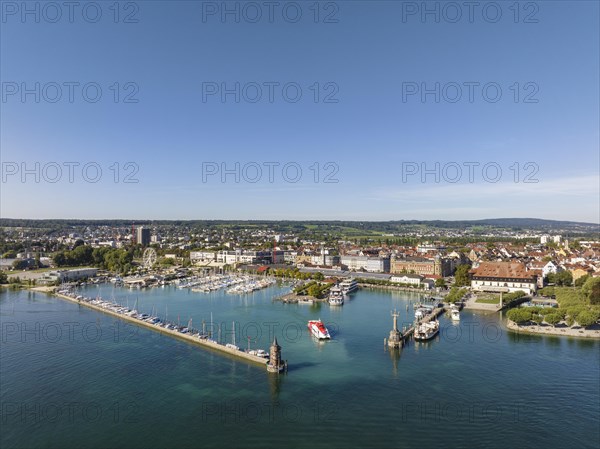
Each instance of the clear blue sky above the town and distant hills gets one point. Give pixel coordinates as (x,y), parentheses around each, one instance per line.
(371,134)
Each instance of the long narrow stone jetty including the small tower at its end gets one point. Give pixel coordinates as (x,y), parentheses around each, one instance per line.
(194,338)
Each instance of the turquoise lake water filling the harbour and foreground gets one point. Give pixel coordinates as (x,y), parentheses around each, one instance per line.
(73,377)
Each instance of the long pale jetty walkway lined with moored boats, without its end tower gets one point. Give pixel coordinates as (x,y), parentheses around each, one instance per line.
(205,343)
